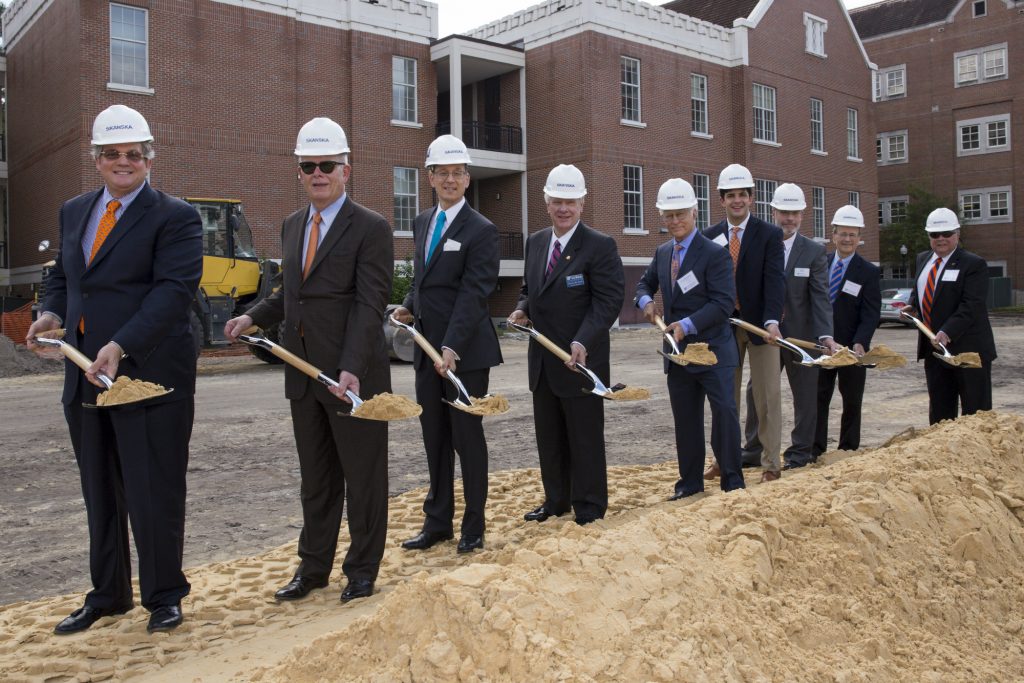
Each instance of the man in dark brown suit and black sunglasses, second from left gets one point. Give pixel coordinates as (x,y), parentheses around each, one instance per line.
(338,264)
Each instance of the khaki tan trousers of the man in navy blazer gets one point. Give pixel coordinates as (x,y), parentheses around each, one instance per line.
(767,392)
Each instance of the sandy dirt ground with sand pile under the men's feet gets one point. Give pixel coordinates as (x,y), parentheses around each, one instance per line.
(755,550)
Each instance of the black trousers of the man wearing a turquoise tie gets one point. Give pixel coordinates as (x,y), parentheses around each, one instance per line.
(448,431)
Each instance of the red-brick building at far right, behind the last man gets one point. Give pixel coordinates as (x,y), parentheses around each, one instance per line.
(947,115)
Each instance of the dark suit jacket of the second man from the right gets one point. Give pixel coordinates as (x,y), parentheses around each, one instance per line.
(856,317)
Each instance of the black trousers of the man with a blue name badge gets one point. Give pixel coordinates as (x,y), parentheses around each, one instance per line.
(571,446)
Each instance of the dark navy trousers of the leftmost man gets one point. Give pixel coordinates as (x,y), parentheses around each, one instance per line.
(133,463)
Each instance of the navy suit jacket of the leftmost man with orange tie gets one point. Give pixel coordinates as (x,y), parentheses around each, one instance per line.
(136,292)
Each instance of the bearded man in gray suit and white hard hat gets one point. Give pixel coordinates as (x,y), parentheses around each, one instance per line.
(806,315)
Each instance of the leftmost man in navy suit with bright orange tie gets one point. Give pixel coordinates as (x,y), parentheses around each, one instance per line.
(131,262)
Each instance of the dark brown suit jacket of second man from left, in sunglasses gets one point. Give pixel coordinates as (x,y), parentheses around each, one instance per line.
(334,319)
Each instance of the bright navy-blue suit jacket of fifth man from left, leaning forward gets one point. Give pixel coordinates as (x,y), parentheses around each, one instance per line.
(708,305)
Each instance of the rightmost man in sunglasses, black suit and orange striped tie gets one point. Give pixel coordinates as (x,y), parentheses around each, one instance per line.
(951,293)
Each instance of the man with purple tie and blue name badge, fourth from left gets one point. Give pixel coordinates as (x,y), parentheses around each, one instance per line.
(573,291)
